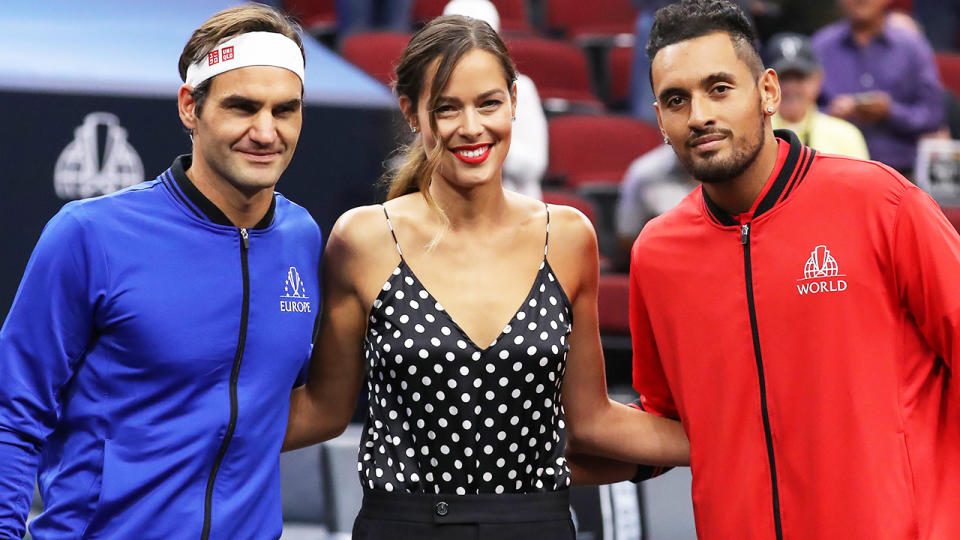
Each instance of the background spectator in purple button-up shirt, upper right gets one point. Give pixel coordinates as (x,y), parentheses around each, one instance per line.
(882,78)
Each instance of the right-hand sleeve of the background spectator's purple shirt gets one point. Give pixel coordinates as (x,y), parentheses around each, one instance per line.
(924,112)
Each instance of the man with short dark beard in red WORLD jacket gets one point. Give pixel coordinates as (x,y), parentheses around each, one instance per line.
(799,312)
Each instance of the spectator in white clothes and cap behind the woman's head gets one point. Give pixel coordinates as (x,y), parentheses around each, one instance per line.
(527,161)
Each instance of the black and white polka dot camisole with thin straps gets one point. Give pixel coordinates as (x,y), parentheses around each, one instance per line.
(449,416)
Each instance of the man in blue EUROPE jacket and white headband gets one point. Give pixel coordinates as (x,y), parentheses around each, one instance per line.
(147,360)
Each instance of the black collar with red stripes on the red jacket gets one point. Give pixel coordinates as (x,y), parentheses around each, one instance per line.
(791,173)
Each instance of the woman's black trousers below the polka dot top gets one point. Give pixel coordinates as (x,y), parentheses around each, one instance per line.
(417,516)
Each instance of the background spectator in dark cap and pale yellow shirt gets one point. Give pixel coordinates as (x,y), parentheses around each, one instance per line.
(801,75)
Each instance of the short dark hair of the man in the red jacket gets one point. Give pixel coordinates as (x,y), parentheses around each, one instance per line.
(690,19)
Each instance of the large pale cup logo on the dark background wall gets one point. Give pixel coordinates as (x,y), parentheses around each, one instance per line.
(79,174)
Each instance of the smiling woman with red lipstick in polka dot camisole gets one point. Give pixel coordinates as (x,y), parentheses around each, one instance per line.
(472,313)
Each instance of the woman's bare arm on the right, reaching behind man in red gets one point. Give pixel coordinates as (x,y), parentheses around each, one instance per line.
(596,424)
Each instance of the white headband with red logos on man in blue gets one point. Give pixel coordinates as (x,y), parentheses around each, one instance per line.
(250,49)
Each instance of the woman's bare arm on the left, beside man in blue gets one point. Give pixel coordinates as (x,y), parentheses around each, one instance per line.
(321,409)
